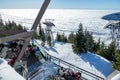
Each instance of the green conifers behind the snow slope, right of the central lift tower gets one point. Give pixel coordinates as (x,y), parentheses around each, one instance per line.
(82,42)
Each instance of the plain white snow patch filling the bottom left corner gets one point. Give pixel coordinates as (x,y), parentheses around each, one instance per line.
(7,72)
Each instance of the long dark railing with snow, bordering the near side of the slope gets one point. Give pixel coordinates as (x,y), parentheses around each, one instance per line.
(60,62)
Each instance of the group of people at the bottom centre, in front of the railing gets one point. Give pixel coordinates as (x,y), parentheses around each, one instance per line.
(68,74)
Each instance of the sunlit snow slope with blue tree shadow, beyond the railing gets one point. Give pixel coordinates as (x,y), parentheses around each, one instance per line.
(89,61)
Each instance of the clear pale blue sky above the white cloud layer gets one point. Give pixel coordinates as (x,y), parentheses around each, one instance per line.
(84,4)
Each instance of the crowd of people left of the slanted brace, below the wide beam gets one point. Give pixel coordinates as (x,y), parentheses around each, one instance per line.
(11,50)
